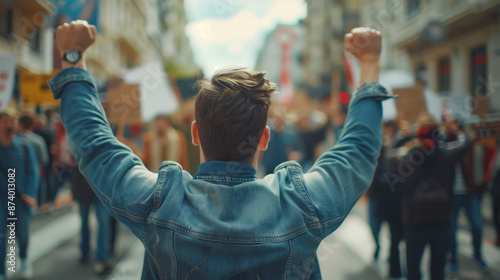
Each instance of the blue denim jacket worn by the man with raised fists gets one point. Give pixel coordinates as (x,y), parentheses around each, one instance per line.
(223,223)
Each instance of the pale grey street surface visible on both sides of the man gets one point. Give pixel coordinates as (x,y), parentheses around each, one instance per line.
(346,254)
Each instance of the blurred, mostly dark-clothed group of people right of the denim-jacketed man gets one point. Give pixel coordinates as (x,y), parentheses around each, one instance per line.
(427,173)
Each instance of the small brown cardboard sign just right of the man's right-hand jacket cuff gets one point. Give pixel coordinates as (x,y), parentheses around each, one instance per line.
(411,102)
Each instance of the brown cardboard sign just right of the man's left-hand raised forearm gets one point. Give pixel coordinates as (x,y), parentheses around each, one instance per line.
(123,104)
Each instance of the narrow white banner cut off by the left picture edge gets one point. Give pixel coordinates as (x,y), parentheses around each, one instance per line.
(7,74)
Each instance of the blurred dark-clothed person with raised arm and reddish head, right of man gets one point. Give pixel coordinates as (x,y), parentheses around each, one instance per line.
(427,174)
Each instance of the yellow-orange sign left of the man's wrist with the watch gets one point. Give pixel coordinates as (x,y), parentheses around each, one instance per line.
(35,89)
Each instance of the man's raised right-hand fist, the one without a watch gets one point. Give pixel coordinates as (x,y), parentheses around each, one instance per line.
(364,43)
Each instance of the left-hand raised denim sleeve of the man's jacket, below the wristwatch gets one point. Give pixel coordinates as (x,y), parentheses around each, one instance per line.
(117,176)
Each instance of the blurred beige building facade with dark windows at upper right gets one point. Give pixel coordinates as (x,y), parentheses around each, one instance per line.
(453,46)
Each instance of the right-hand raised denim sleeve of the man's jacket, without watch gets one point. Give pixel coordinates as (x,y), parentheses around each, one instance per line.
(340,175)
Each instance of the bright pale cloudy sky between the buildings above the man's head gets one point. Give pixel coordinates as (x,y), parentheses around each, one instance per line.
(231,32)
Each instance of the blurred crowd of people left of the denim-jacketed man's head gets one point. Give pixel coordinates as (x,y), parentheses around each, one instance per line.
(36,146)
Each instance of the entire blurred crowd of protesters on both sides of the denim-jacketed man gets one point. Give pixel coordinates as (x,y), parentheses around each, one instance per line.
(415,159)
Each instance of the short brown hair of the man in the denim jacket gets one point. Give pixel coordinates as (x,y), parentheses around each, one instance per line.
(231,112)
